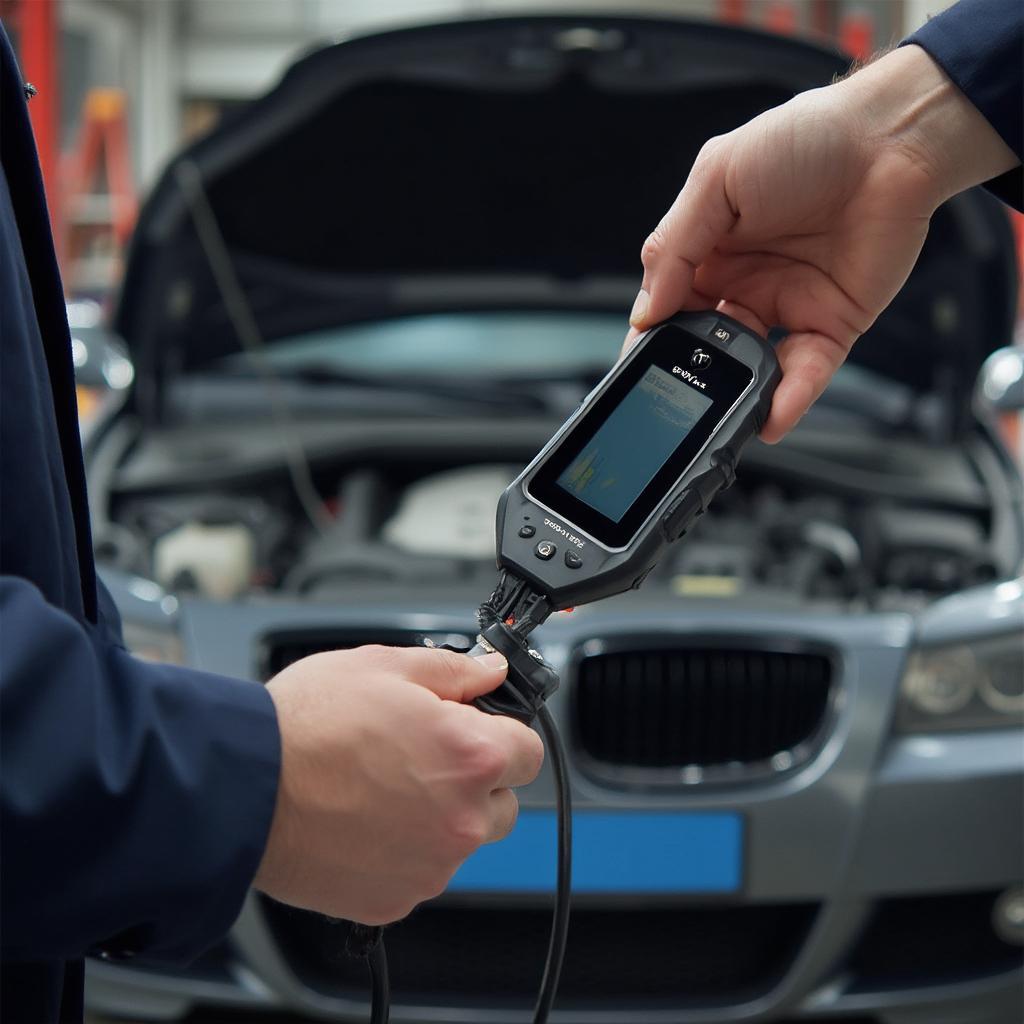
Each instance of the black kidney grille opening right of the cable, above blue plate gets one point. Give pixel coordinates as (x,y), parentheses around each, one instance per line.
(673,708)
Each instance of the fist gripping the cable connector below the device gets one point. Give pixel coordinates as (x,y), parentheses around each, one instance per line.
(390,780)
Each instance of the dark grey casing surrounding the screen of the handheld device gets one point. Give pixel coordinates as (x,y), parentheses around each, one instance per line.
(604,573)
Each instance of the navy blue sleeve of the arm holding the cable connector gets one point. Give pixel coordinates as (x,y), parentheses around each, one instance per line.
(136,799)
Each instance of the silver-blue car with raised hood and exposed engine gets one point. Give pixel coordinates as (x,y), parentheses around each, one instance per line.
(356,311)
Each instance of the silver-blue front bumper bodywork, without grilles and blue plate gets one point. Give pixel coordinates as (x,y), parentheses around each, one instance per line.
(868,885)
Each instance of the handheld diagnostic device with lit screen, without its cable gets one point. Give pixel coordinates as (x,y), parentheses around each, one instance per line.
(641,459)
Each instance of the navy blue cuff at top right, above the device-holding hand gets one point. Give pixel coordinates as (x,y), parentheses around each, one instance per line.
(980,46)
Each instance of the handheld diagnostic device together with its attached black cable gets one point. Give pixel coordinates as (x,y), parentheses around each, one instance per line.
(625,478)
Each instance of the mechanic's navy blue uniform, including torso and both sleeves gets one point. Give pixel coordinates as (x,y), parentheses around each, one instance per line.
(137,799)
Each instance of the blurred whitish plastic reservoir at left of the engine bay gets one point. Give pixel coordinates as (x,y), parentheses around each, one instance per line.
(219,559)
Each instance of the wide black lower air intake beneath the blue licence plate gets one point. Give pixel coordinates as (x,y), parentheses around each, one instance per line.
(641,958)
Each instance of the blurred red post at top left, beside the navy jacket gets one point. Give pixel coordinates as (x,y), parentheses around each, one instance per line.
(36,23)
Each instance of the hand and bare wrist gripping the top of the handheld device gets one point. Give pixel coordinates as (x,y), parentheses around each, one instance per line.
(813,216)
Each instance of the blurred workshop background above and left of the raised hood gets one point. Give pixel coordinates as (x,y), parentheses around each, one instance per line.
(124,83)
